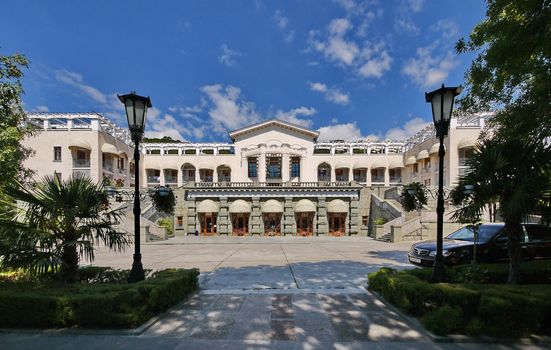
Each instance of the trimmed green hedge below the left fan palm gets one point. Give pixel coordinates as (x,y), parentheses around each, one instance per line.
(105,305)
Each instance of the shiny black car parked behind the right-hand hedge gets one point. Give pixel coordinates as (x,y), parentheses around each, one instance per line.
(491,245)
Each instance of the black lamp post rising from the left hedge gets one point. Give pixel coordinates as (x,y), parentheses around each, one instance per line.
(136,111)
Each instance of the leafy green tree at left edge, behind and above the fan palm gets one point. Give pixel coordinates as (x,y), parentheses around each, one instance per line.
(12,122)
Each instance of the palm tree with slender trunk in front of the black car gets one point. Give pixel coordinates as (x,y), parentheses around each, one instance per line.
(514,173)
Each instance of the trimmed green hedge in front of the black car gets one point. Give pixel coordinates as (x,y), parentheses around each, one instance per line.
(473,309)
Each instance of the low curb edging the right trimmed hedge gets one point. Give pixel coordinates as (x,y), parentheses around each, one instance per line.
(460,338)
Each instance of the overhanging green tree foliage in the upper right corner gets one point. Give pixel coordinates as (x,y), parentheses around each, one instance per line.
(512,69)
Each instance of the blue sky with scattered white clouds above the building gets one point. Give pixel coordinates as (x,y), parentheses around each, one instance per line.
(349,68)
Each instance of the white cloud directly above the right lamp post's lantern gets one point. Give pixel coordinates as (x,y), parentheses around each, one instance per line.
(427,70)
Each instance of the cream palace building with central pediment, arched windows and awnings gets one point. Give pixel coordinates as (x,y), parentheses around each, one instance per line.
(274,178)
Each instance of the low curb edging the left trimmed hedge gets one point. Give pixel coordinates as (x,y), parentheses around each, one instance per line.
(82,331)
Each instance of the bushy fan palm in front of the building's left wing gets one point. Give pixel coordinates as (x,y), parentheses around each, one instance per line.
(56,224)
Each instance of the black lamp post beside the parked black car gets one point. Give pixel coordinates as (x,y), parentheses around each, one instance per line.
(442,106)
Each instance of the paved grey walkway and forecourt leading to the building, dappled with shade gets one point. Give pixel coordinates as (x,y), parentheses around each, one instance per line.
(264,293)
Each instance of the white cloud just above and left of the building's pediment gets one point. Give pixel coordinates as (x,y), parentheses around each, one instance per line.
(226,111)
